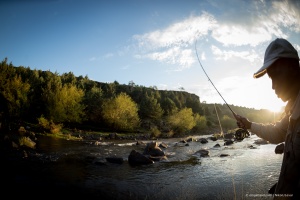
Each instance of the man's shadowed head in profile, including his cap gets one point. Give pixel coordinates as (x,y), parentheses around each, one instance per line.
(281,63)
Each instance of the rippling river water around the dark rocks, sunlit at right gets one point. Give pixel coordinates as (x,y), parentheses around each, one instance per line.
(80,167)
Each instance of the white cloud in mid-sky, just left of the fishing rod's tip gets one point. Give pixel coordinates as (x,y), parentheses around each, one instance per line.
(172,45)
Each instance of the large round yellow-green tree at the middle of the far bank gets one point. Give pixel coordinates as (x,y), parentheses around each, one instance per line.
(121,113)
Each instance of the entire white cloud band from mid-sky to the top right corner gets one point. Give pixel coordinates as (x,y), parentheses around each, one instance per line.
(257,24)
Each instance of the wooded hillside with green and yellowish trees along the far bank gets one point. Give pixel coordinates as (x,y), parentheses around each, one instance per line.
(55,100)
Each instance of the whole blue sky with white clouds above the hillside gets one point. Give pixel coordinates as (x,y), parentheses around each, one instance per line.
(154,43)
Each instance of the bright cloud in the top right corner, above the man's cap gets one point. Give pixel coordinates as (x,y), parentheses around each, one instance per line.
(258,27)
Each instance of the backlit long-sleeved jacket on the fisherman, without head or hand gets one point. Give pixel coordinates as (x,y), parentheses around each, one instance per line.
(288,131)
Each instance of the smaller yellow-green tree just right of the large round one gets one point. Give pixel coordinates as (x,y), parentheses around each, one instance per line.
(182,121)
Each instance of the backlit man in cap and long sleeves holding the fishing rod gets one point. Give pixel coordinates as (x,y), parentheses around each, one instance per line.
(281,63)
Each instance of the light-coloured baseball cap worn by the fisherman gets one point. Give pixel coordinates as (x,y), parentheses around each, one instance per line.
(279,48)
